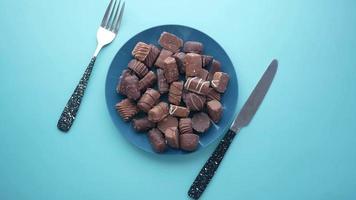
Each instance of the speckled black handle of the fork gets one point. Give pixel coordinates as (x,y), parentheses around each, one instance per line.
(70,110)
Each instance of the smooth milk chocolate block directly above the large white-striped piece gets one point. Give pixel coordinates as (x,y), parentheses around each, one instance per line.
(193,64)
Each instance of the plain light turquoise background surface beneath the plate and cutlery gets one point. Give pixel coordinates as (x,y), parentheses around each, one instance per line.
(300,145)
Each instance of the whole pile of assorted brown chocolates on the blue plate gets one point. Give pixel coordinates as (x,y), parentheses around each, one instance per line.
(194,83)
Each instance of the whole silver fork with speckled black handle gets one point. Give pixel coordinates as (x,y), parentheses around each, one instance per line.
(105,35)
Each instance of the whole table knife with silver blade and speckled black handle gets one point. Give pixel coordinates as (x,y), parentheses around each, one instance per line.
(243,119)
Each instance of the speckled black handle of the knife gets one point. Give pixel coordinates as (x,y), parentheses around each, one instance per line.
(208,170)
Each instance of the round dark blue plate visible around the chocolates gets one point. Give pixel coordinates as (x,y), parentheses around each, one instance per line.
(211,47)
